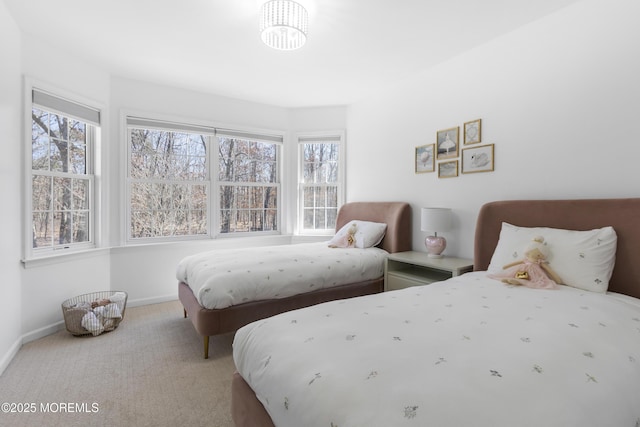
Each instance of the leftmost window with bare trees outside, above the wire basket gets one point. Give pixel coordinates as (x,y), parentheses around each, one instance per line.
(63,134)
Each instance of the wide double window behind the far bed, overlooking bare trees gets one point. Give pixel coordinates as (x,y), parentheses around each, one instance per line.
(173,172)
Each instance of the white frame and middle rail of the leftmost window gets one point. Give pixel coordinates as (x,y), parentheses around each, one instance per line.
(71,106)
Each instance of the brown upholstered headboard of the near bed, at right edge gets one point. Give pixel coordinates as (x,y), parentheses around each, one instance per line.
(582,214)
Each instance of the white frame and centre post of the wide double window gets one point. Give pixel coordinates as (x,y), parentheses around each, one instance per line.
(213,183)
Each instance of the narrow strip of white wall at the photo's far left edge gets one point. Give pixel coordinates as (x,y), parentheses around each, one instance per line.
(10,190)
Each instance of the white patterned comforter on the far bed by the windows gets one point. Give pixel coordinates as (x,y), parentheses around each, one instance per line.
(223,278)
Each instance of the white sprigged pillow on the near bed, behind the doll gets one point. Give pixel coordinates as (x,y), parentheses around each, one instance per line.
(582,259)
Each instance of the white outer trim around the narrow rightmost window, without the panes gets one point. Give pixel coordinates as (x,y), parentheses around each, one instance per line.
(300,230)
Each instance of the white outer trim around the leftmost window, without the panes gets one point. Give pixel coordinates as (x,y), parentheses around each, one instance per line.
(95,158)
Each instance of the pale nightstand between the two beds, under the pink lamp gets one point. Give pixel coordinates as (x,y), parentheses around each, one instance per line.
(404,269)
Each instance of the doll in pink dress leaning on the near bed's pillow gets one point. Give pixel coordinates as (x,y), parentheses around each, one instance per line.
(533,271)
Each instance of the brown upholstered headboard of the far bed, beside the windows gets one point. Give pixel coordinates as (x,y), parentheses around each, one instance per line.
(397,216)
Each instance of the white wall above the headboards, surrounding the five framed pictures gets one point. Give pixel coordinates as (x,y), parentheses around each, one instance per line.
(559,99)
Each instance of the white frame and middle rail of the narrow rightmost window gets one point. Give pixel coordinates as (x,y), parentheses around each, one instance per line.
(336,137)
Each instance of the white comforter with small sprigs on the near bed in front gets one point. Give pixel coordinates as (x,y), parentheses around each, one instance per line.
(470,351)
